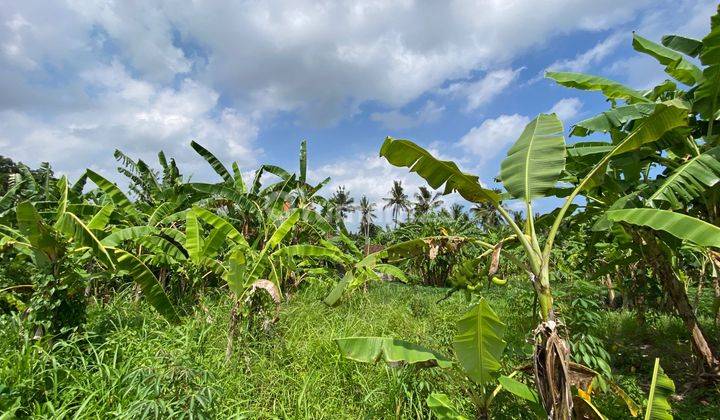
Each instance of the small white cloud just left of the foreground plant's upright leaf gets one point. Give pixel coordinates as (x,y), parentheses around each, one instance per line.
(494,135)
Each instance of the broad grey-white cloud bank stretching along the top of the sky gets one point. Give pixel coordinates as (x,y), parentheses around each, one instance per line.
(320,59)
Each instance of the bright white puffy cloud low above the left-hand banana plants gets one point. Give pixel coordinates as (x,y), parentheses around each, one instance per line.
(138,117)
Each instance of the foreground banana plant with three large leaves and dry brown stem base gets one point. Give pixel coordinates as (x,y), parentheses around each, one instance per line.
(532,169)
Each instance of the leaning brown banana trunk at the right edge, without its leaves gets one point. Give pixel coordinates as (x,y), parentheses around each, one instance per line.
(680,300)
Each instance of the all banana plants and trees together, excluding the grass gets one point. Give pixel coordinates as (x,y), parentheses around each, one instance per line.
(637,228)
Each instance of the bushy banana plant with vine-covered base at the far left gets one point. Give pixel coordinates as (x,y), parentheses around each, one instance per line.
(59,243)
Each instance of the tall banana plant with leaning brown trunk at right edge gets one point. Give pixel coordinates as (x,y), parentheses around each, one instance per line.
(686,190)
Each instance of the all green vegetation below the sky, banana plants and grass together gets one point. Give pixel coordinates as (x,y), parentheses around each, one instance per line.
(479,313)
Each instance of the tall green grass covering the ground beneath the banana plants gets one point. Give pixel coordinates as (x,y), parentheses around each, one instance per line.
(129,363)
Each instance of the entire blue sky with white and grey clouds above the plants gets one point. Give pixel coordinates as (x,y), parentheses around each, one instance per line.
(250,80)
